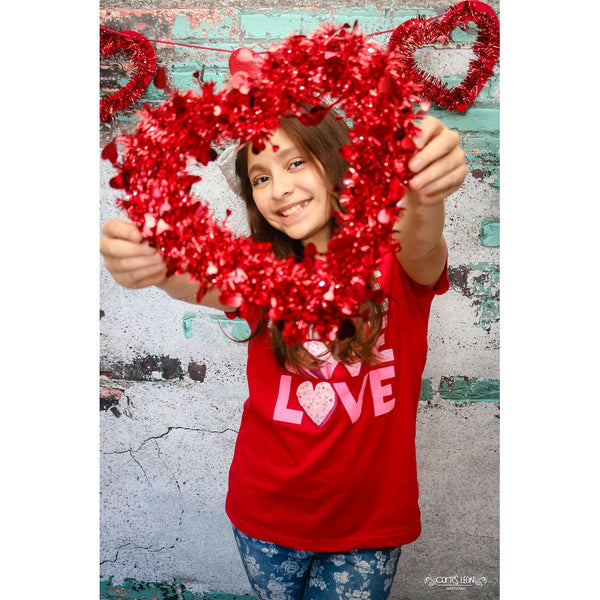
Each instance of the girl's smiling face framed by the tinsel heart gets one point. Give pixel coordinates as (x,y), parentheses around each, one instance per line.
(290,191)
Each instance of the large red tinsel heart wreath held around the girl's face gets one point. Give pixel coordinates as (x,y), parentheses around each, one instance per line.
(372,90)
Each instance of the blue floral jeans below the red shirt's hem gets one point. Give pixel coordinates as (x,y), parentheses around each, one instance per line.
(279,573)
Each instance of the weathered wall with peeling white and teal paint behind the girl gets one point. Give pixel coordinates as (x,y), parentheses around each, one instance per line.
(172,383)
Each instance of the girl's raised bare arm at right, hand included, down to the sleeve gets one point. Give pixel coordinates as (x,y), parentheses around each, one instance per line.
(439,169)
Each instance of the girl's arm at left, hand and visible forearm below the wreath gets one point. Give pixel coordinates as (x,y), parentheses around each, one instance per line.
(134,264)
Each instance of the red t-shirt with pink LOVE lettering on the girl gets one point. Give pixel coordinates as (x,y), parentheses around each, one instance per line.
(328,464)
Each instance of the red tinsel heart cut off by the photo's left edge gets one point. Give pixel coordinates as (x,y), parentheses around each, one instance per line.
(141,53)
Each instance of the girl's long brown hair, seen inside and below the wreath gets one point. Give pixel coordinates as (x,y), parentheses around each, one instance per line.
(320,144)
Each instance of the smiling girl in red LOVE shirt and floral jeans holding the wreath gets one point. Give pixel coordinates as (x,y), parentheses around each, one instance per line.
(323,484)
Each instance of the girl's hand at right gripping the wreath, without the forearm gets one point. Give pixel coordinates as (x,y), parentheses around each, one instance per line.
(438,164)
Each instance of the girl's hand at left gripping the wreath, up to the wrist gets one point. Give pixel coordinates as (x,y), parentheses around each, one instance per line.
(131,262)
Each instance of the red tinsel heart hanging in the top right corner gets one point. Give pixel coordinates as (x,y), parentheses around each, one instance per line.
(415,33)
